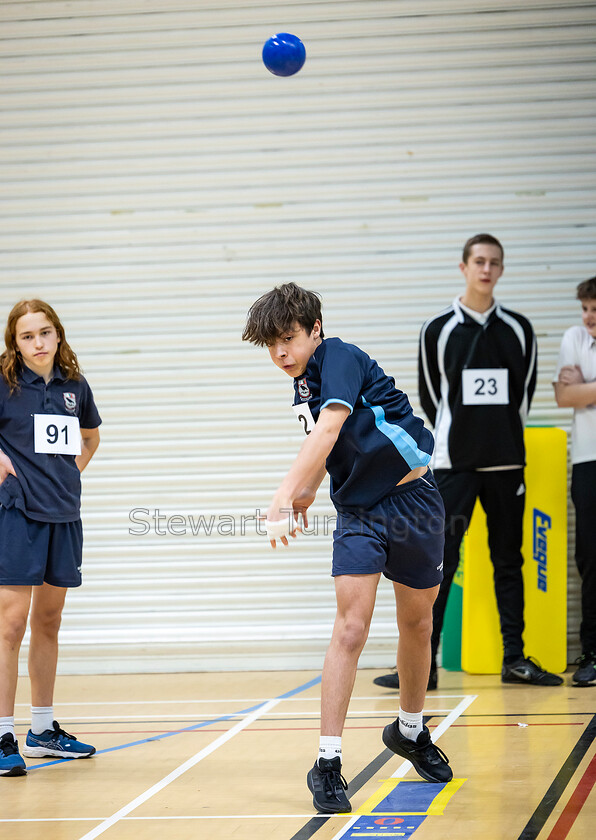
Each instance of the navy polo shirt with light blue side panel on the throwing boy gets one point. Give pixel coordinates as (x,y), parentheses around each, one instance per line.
(381,440)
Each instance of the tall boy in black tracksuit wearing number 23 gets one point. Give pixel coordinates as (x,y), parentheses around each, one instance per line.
(477,374)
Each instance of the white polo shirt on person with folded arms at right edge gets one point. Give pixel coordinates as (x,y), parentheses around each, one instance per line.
(579,348)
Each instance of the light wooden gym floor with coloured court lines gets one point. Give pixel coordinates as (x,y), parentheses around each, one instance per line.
(225,756)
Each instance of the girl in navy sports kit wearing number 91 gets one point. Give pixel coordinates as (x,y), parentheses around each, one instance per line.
(48,434)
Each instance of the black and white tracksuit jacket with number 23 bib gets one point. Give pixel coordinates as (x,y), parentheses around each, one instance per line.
(476,383)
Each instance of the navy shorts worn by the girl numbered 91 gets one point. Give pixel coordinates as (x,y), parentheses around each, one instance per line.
(32,552)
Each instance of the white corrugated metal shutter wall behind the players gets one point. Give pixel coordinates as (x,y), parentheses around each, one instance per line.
(156,179)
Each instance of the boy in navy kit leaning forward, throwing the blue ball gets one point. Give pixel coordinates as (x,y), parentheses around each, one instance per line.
(390,520)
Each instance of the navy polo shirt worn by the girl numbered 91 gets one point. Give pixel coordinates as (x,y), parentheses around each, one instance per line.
(47,487)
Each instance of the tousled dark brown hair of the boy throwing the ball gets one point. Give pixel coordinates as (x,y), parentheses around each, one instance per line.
(277,311)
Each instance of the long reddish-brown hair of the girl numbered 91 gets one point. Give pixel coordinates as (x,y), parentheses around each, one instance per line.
(10,361)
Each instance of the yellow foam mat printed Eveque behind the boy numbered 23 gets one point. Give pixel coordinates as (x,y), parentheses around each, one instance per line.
(545,566)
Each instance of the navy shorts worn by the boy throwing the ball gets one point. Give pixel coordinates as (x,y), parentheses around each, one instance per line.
(402,536)
